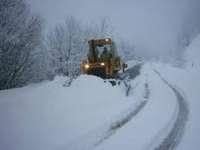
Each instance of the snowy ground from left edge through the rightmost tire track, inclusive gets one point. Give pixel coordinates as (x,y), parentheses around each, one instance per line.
(50,116)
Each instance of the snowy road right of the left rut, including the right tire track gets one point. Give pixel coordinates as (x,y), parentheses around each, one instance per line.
(166,135)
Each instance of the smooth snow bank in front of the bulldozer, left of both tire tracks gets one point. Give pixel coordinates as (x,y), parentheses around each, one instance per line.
(50,116)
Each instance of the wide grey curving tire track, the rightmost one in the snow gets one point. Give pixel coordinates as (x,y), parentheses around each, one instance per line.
(176,133)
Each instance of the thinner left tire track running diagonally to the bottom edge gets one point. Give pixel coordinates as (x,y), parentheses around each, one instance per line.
(101,134)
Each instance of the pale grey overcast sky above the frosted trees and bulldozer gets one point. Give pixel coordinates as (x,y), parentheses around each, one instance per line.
(154,26)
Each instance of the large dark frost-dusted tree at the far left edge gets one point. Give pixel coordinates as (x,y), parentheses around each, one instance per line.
(20,33)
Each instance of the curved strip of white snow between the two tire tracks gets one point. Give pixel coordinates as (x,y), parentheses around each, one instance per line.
(151,123)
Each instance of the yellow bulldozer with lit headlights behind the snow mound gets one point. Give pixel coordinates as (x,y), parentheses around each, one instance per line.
(102,59)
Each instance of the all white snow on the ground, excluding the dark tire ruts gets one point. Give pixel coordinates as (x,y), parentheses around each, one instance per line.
(50,116)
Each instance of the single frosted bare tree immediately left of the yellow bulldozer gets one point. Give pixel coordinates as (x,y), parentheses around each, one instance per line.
(66,44)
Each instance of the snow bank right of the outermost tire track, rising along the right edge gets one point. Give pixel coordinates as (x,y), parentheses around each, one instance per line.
(188,79)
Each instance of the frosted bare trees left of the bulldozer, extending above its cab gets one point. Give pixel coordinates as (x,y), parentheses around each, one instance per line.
(68,44)
